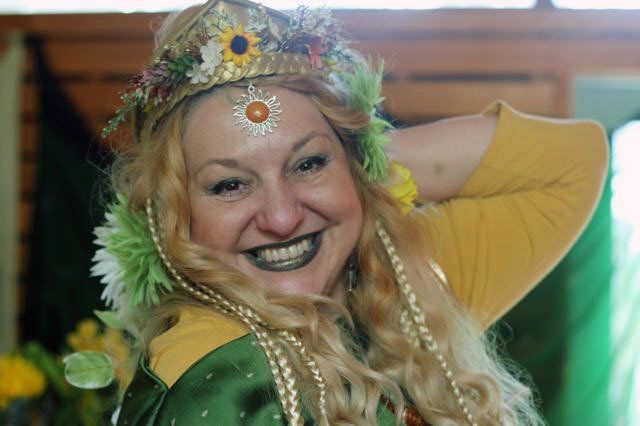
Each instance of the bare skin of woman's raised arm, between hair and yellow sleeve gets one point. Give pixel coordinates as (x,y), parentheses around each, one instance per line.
(442,155)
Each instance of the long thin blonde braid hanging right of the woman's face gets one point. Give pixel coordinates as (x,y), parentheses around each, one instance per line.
(418,319)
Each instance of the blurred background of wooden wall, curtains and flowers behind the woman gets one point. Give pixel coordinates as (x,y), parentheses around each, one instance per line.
(63,64)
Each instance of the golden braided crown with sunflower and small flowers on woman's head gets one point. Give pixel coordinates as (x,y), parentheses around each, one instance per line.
(228,41)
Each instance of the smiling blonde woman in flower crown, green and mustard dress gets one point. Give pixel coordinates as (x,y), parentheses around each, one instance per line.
(274,270)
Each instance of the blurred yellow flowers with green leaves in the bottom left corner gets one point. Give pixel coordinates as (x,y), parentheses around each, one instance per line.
(38,387)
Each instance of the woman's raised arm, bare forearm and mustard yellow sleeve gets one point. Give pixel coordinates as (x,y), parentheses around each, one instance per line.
(514,195)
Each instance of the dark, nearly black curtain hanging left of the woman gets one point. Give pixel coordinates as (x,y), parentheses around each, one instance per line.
(59,291)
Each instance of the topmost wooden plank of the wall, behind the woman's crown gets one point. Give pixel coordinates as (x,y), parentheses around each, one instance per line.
(365,24)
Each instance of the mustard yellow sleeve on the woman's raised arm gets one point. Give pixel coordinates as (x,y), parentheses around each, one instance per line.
(521,211)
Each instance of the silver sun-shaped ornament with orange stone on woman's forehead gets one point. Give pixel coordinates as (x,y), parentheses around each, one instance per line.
(257,112)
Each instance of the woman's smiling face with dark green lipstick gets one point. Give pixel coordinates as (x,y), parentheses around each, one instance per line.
(281,208)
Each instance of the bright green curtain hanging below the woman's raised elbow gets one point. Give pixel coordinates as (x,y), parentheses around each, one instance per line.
(569,313)
